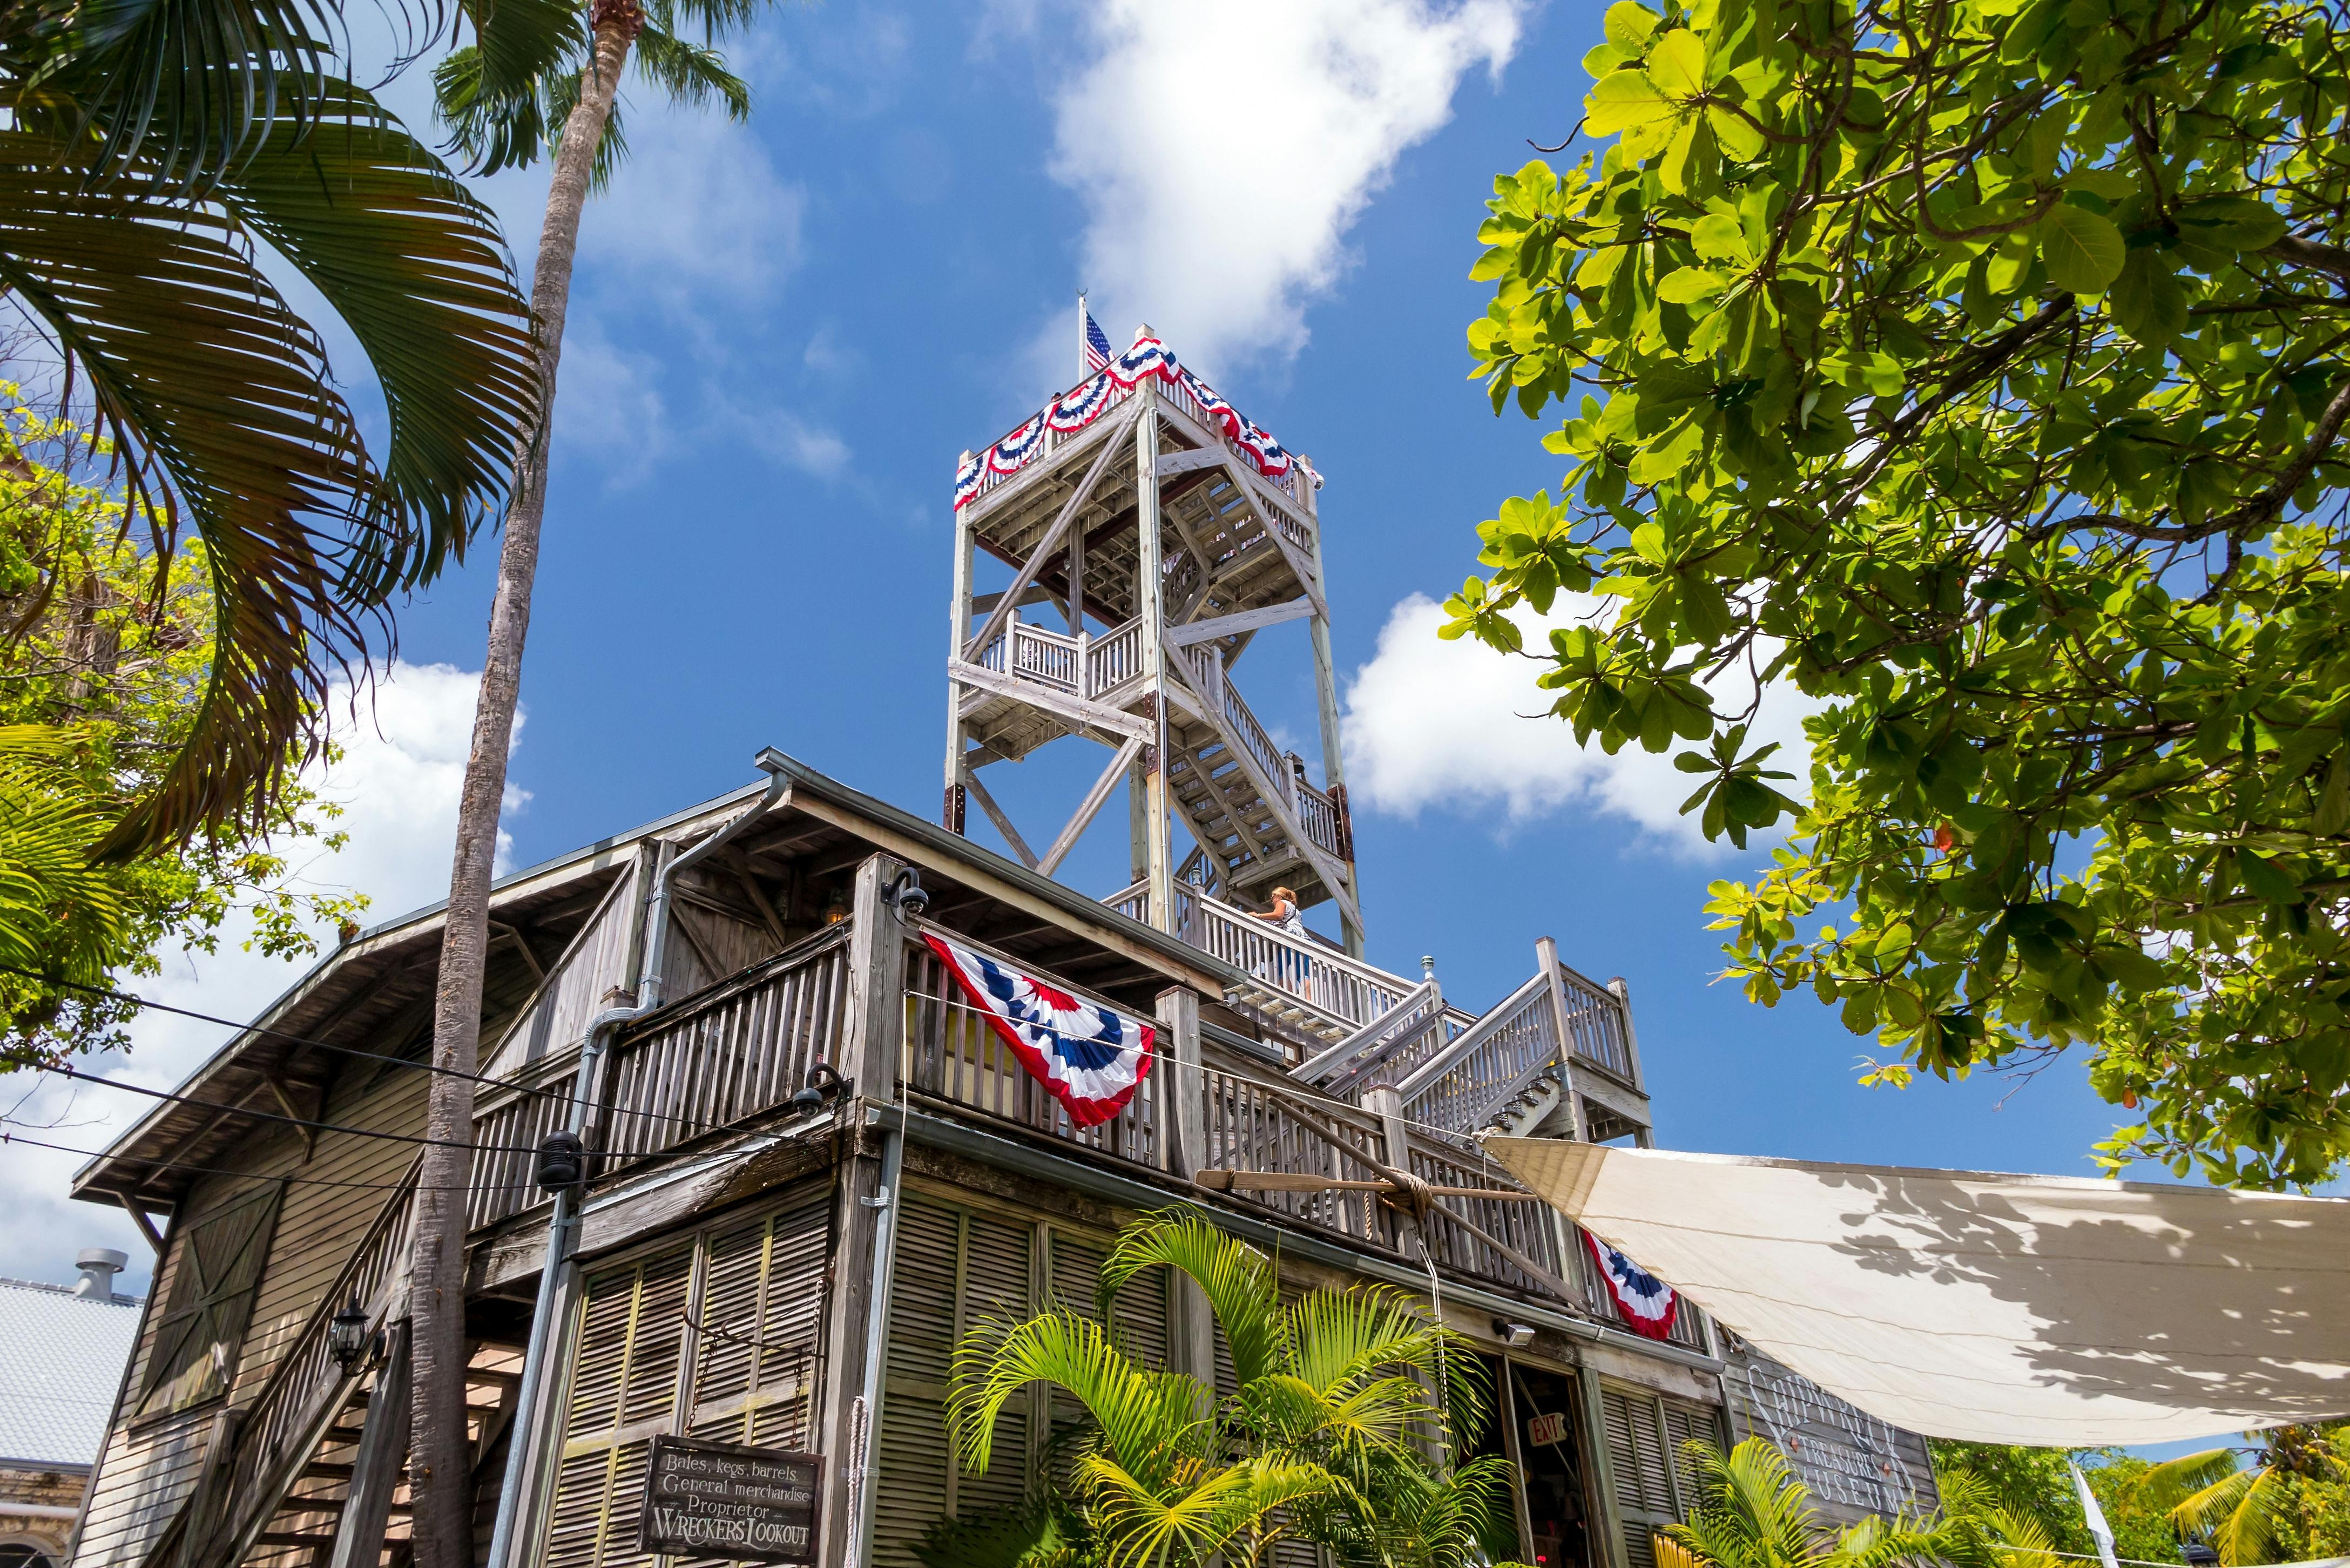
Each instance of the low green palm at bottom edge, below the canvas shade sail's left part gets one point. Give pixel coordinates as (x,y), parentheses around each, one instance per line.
(1757,1515)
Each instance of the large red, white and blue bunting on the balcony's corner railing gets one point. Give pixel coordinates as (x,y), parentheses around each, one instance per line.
(1089,1057)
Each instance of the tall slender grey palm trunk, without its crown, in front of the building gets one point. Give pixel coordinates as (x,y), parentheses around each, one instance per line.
(441,1461)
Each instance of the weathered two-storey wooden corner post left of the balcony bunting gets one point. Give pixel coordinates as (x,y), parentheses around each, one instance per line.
(871,1054)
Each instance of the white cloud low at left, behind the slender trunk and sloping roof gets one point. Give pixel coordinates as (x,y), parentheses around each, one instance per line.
(398,784)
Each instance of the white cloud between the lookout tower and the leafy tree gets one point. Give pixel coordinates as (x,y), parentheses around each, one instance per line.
(1458,728)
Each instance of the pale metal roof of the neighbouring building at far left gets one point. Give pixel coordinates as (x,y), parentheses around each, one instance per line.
(60,1372)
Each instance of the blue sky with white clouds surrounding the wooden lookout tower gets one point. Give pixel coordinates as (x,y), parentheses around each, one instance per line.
(786,333)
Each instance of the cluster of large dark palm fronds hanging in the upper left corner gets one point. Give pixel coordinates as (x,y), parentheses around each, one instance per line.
(152,154)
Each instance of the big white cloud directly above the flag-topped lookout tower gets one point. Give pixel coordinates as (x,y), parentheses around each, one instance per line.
(1223,152)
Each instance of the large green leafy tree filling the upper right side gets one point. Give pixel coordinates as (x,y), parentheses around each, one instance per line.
(1975,370)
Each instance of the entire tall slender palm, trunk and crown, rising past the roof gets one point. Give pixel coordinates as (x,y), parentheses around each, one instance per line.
(502,112)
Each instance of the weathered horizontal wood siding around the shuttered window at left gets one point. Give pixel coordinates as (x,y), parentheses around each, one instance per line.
(149,1468)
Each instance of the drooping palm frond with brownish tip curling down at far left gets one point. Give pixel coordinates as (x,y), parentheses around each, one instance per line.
(208,377)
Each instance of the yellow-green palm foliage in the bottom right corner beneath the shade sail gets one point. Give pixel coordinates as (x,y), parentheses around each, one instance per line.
(2283,1503)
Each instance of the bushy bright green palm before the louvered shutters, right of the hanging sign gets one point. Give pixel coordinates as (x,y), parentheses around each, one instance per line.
(1324,1438)
